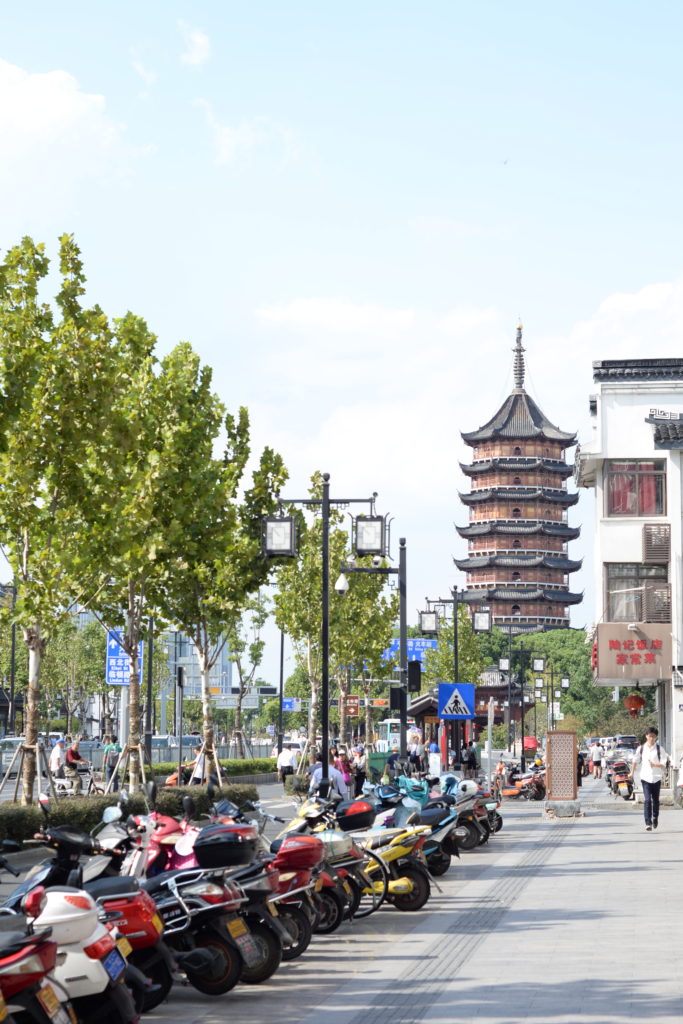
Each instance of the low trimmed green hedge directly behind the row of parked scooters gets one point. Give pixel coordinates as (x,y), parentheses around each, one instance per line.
(86,813)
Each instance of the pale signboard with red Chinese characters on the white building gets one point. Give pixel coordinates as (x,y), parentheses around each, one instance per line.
(623,656)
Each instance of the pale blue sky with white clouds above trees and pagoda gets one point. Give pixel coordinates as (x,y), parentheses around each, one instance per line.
(346,209)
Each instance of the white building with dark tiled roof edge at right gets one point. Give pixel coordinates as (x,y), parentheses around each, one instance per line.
(634,464)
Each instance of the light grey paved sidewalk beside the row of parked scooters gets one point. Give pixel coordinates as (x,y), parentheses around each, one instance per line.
(540,927)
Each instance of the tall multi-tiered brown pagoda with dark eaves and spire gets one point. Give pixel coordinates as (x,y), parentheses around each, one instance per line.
(519,532)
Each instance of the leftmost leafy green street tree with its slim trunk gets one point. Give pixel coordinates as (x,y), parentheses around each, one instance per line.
(62,368)
